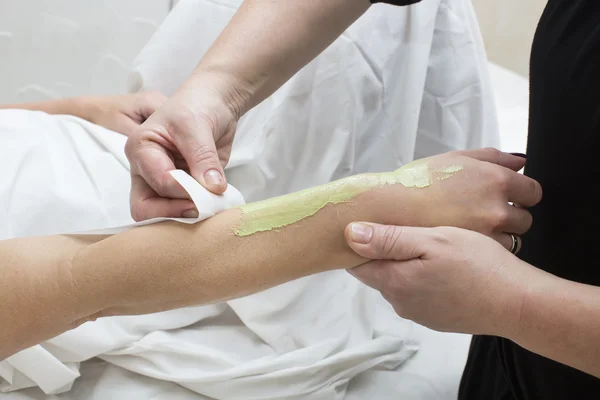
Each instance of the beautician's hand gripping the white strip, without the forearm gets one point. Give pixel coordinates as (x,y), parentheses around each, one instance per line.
(193,131)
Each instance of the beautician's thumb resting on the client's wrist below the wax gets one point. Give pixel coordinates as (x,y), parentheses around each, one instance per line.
(386,242)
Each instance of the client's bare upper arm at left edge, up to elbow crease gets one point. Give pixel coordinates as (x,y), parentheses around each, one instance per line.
(38,297)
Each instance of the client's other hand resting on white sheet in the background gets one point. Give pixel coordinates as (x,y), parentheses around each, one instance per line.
(123,114)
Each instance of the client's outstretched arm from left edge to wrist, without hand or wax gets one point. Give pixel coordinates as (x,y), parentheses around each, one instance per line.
(57,283)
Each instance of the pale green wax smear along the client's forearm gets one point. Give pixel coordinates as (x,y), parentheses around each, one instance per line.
(285,210)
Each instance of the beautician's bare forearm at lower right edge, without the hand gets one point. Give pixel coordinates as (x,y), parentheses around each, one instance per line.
(560,320)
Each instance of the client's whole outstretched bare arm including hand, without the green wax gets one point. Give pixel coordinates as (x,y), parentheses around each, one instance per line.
(53,284)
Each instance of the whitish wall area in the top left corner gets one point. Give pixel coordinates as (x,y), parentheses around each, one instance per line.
(59,48)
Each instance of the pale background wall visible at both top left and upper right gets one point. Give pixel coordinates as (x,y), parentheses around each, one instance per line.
(59,48)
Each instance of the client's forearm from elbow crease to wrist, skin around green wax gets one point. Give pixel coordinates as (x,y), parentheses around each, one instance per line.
(173,265)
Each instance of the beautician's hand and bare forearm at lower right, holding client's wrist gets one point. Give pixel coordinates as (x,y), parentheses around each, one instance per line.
(456,280)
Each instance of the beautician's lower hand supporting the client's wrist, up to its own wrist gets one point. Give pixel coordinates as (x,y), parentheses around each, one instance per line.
(447,279)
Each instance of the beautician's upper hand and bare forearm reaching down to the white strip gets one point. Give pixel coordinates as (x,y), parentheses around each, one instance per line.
(265,44)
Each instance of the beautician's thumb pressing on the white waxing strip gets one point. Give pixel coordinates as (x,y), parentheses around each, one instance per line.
(198,148)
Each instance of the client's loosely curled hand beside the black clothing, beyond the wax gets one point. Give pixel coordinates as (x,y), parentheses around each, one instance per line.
(478,196)
